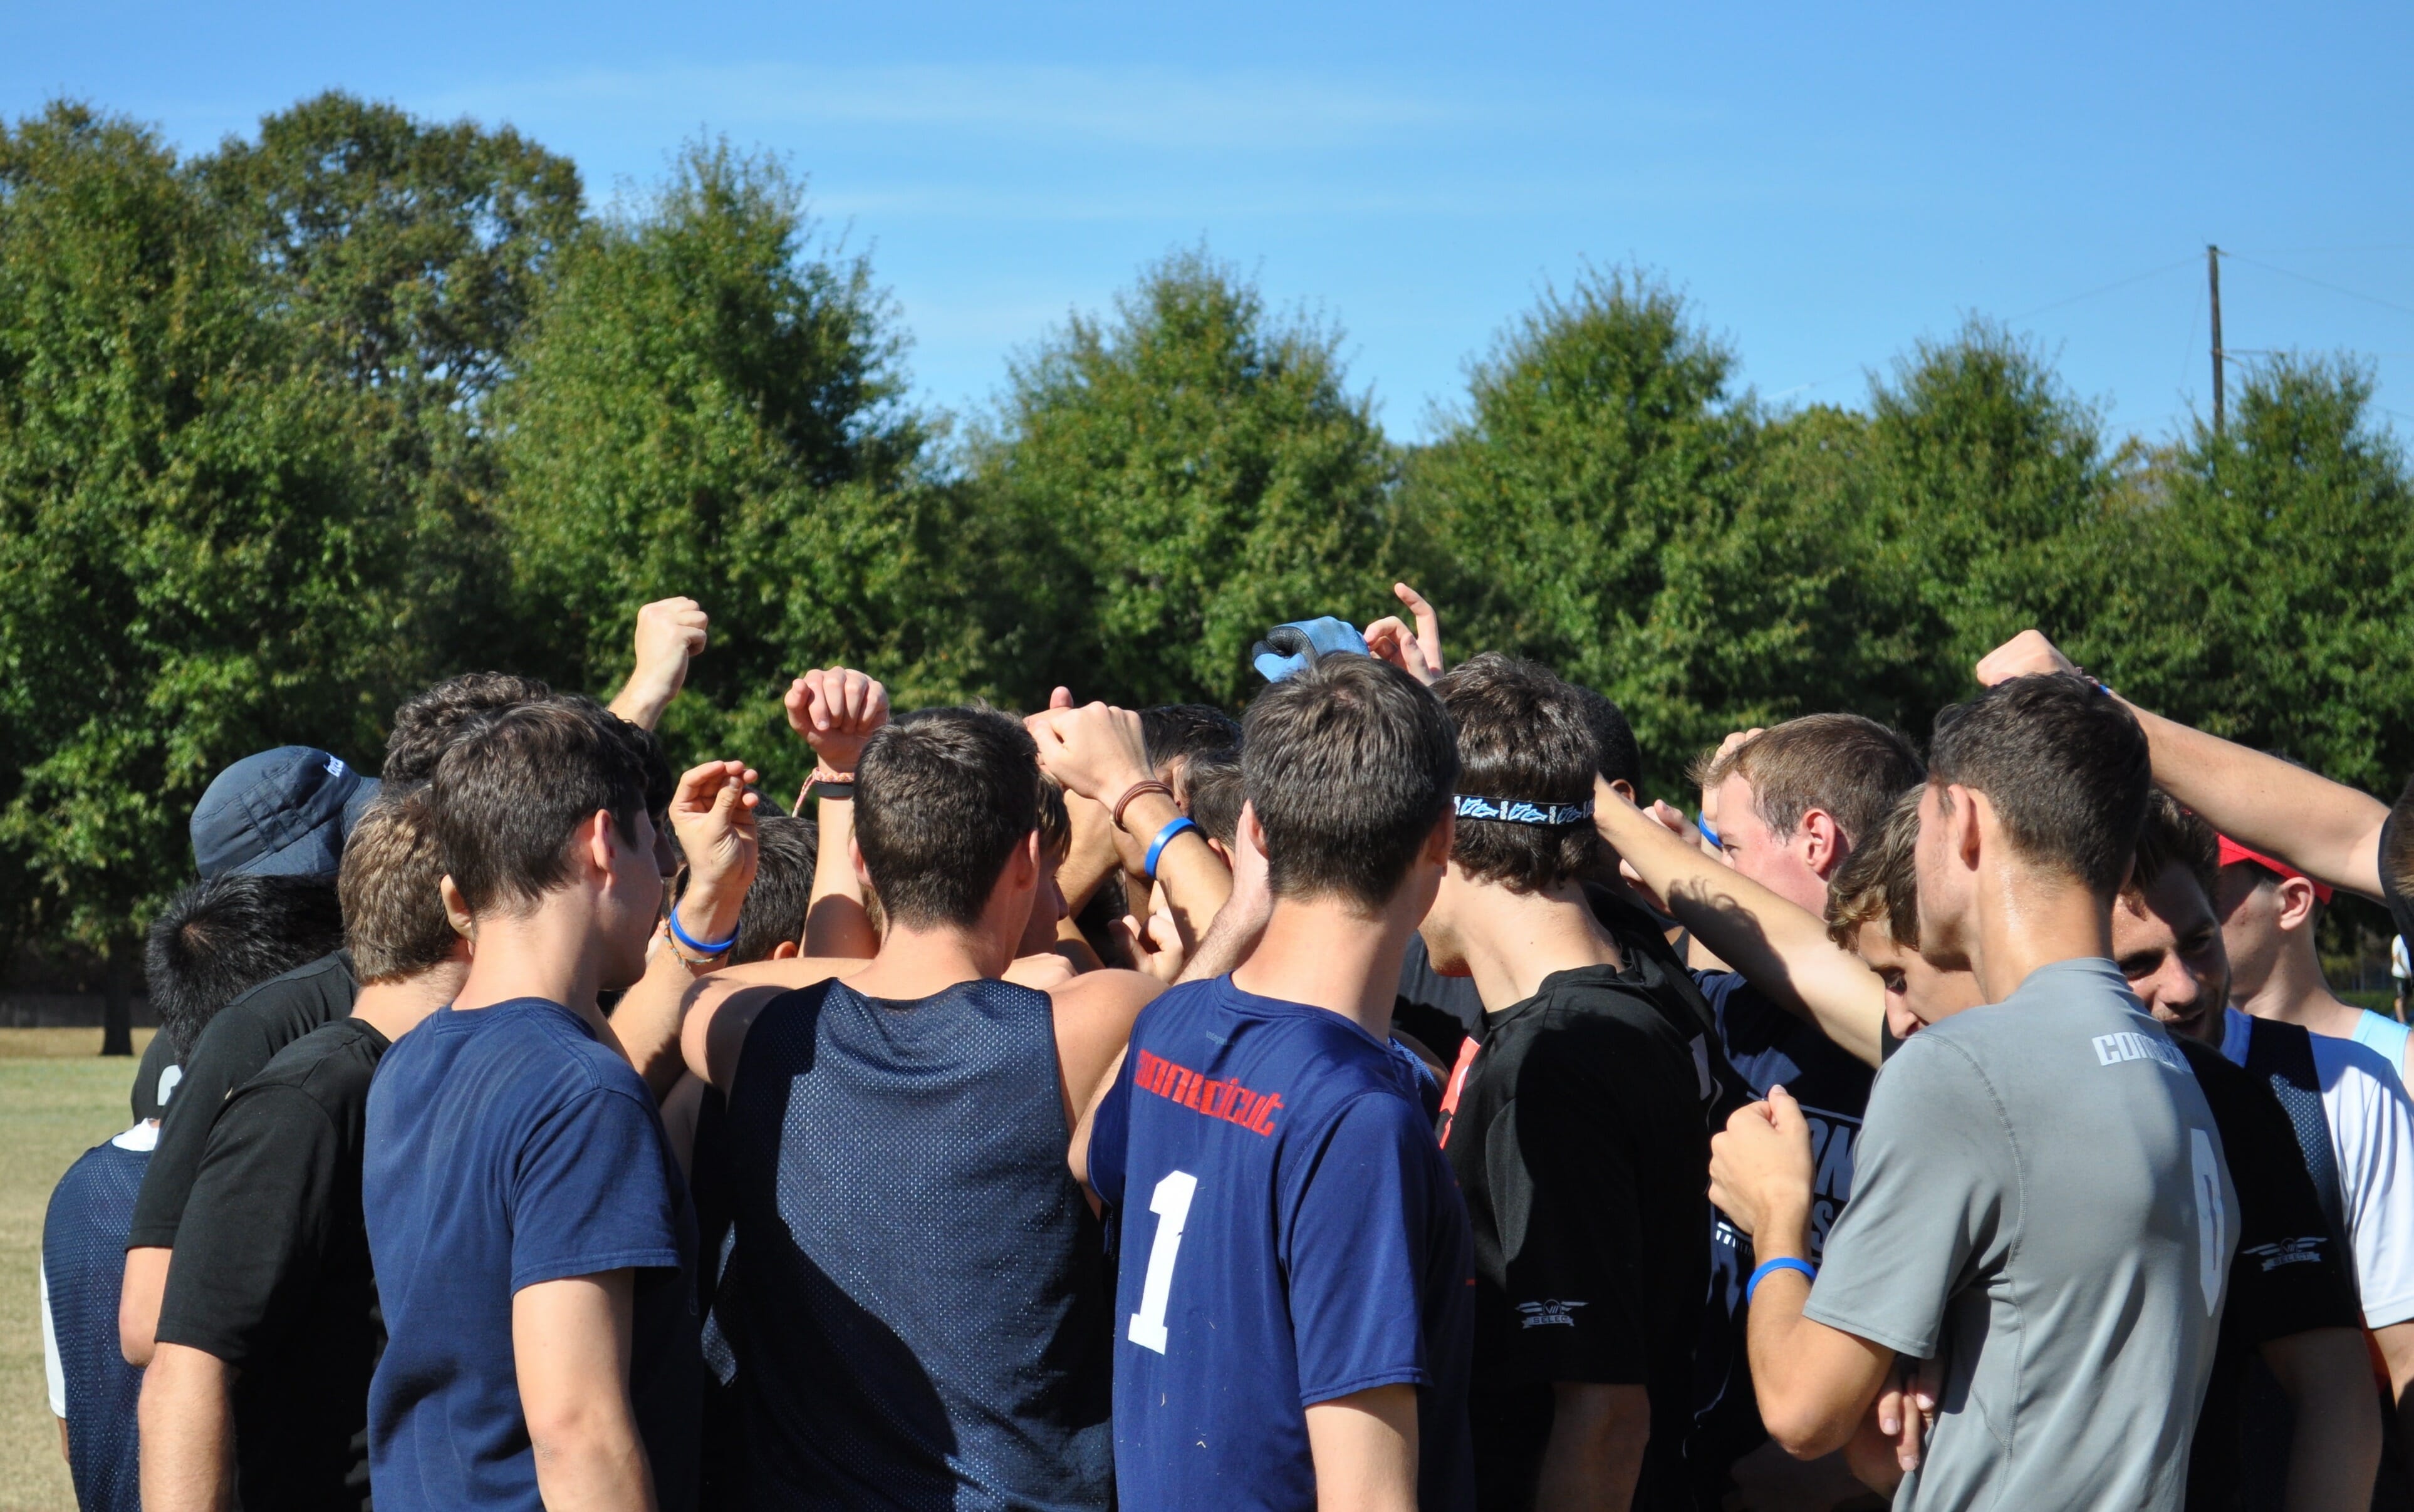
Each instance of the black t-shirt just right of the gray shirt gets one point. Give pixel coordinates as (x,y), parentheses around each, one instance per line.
(2287,1277)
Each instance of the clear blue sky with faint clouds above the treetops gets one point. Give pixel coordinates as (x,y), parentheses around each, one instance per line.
(1829,184)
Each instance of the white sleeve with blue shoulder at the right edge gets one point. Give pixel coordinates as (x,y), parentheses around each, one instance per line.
(2372,1127)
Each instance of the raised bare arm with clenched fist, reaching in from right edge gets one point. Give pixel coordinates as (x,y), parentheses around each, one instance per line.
(2323,828)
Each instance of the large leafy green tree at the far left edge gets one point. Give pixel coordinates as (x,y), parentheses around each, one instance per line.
(192,561)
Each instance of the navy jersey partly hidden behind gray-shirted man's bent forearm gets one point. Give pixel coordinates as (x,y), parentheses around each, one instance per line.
(1768,1048)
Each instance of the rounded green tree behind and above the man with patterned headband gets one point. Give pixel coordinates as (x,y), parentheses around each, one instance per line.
(1597,510)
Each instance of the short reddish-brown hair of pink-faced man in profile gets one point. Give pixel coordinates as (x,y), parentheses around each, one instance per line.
(1838,763)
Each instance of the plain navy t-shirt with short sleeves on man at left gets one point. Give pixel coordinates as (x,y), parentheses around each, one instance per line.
(508,1147)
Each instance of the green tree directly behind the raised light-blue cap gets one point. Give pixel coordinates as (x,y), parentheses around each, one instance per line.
(1177,481)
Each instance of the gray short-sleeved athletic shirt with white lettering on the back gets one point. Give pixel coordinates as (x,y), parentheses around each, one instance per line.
(2043,1205)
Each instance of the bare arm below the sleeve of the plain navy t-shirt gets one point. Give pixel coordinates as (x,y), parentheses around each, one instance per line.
(571,1344)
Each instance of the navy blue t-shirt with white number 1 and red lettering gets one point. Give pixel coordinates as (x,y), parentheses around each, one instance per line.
(1290,1233)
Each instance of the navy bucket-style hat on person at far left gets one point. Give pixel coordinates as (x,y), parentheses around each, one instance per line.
(279,814)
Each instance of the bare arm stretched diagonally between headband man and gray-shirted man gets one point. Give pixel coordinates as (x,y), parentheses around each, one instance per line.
(1778,947)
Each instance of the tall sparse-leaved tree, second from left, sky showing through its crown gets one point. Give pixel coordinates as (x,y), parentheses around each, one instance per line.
(404,259)
